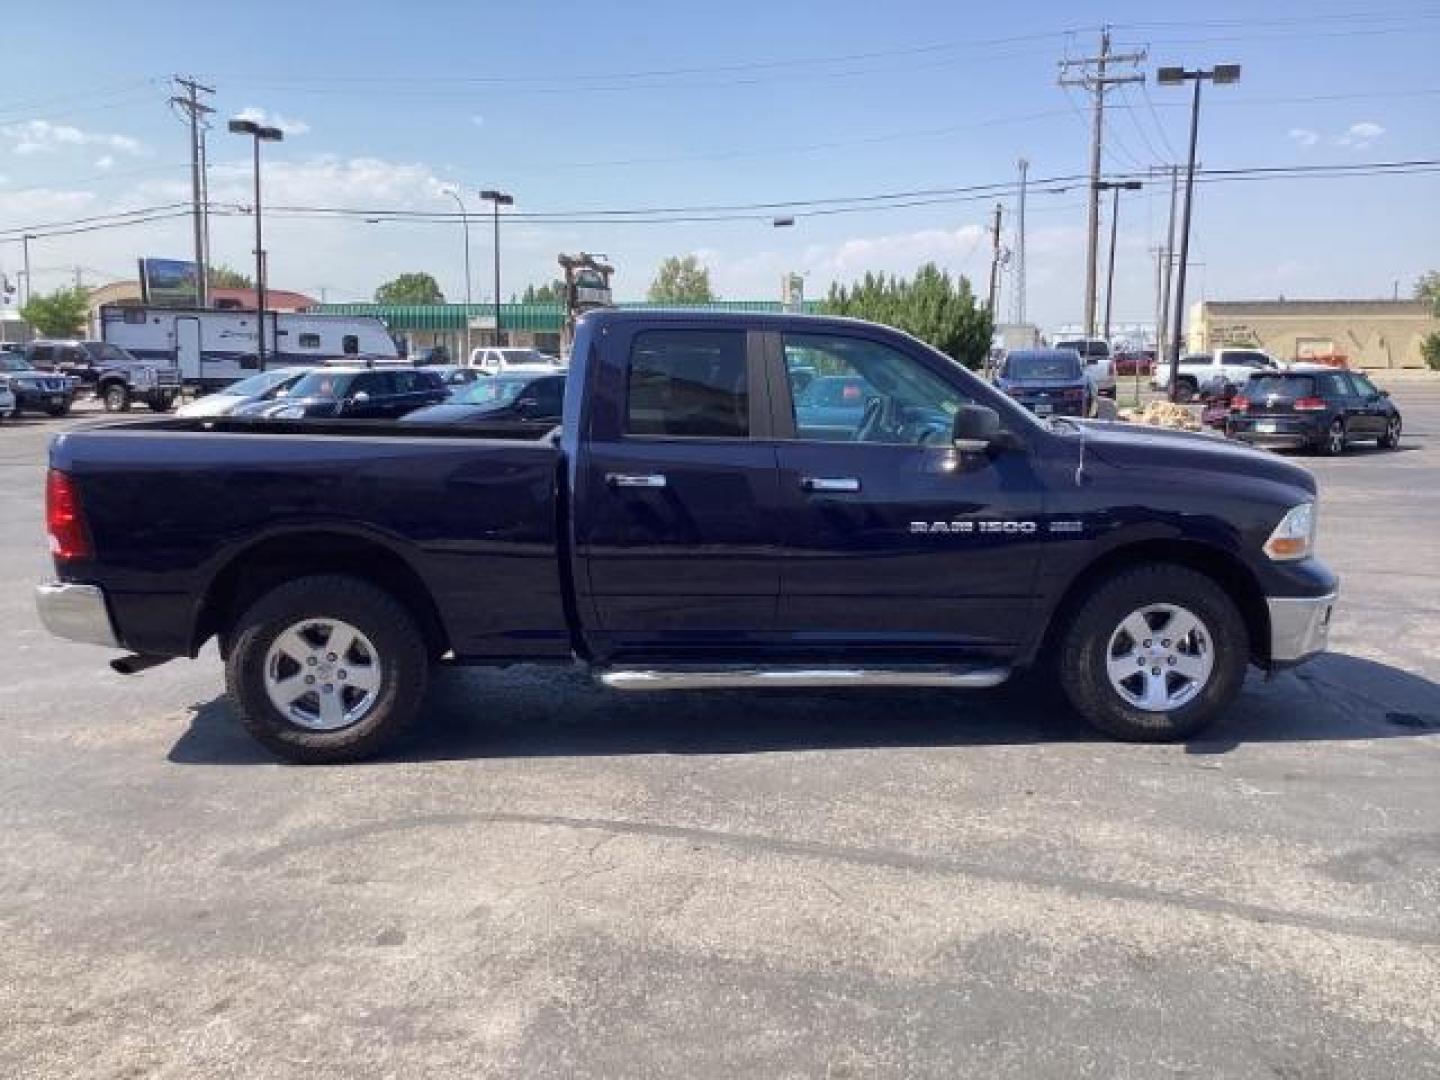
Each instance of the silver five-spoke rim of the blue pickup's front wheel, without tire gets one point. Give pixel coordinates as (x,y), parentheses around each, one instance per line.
(1160,657)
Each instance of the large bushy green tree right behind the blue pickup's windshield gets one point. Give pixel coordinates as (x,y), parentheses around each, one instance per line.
(937,309)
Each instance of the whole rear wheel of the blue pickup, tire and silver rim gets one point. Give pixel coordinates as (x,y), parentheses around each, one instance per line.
(328,669)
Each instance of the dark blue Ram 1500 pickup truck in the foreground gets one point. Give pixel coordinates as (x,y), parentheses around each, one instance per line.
(683,532)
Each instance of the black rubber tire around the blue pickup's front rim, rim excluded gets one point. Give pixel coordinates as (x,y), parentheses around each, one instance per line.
(1086,640)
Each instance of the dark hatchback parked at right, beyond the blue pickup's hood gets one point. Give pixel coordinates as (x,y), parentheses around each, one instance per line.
(1320,410)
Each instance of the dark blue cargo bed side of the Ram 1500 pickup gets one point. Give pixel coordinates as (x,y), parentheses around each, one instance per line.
(467,515)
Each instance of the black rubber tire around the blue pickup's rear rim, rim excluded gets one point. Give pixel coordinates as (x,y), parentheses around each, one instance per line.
(385,621)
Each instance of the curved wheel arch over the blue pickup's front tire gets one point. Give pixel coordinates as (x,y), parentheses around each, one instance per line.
(1222,567)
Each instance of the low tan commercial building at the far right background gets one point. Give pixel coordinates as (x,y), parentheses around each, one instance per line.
(1366,333)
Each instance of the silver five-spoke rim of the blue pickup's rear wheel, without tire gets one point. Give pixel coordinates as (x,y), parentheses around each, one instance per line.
(323,675)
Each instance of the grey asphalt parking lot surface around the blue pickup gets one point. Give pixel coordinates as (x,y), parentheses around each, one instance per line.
(555,881)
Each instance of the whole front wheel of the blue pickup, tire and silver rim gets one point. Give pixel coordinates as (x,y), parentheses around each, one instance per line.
(1154,654)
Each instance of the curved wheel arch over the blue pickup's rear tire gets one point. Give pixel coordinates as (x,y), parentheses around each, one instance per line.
(251,572)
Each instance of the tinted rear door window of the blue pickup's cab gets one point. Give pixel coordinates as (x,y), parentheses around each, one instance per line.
(689,382)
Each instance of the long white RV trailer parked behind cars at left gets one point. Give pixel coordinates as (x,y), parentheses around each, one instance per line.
(212,349)
